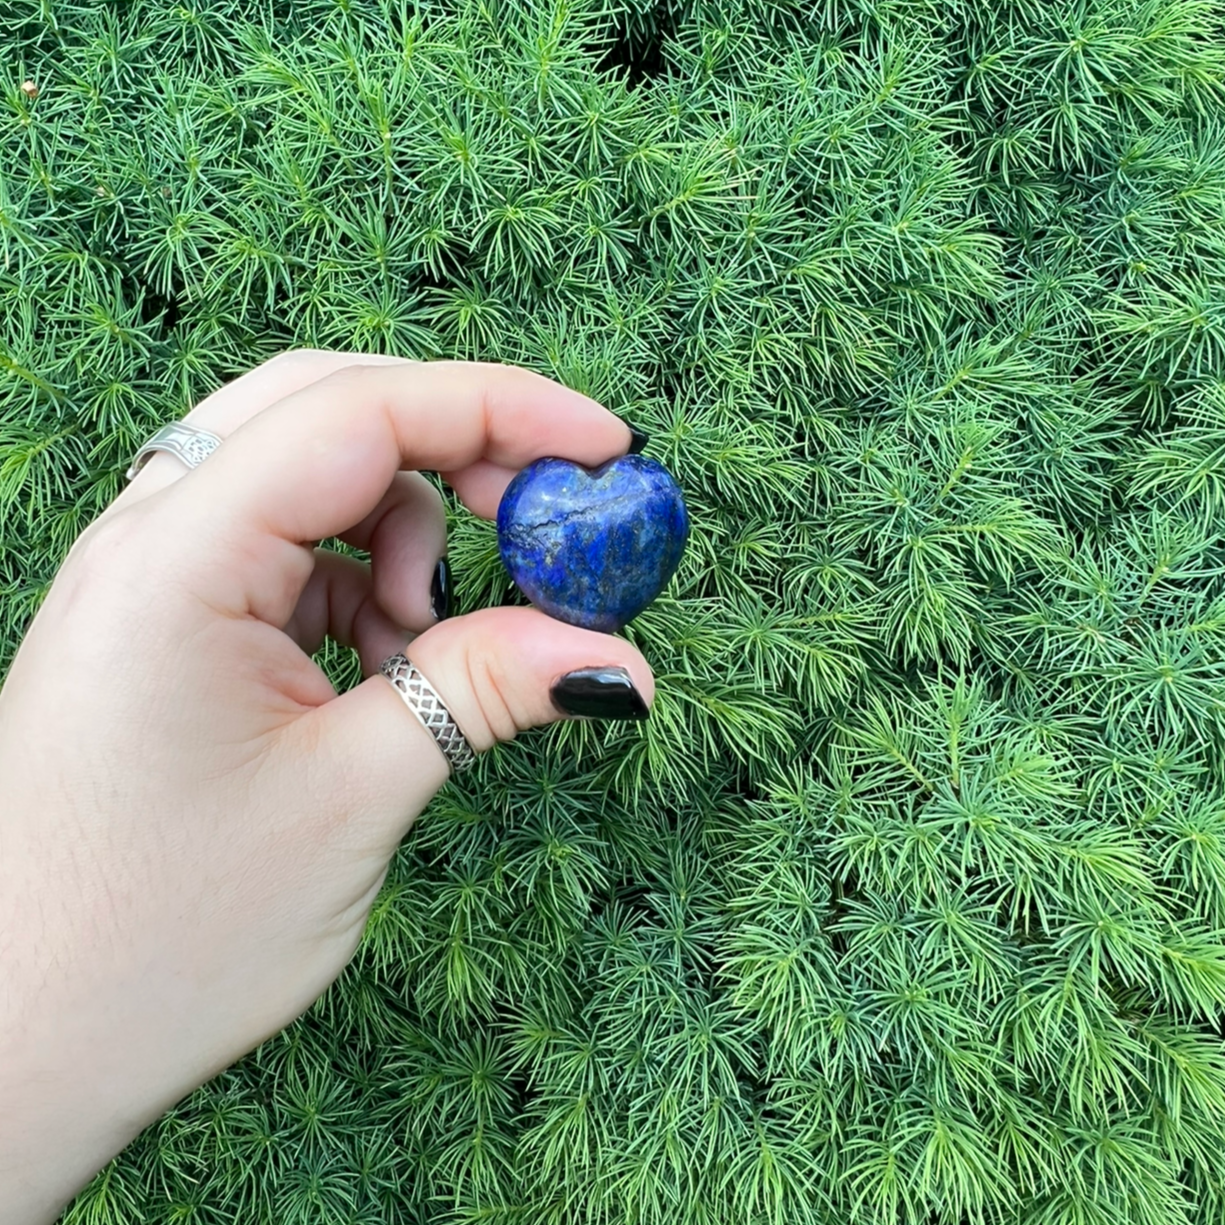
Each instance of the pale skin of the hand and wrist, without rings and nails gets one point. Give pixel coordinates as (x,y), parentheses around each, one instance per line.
(193,824)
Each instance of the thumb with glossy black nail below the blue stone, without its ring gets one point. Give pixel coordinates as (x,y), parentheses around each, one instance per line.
(499,672)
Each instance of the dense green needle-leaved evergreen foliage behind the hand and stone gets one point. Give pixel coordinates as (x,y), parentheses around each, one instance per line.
(907,905)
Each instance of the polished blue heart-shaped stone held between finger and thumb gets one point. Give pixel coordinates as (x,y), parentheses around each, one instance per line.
(592,547)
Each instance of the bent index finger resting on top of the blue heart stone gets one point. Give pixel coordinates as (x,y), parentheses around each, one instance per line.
(322,460)
